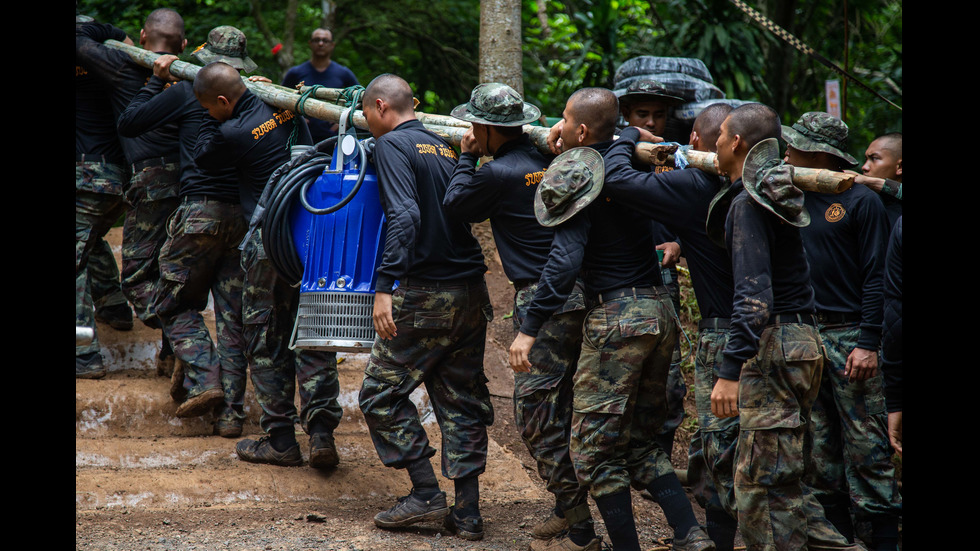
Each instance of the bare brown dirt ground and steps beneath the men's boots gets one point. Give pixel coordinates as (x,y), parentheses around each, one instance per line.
(199,496)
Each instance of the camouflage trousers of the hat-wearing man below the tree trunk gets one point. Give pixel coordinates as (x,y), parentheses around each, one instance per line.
(543,397)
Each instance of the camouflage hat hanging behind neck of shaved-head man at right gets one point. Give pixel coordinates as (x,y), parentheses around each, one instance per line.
(770,182)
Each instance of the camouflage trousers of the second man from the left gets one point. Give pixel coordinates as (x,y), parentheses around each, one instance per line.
(152,196)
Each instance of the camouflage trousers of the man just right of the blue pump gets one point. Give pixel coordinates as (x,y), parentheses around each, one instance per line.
(440,343)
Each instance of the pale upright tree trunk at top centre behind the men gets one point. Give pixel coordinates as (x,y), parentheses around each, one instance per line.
(500,43)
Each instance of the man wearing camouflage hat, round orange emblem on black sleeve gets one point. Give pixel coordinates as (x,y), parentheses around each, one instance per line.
(845,247)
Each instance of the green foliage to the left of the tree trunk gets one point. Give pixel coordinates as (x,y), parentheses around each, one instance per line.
(433,45)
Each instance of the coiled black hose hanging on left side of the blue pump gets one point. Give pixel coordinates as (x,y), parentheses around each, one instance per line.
(277,200)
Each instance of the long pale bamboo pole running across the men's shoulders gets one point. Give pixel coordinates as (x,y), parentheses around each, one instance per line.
(452,129)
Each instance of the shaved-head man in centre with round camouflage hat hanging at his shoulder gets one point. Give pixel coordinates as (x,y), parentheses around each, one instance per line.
(619,393)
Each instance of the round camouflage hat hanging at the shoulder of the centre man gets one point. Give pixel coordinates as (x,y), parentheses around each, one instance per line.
(571,182)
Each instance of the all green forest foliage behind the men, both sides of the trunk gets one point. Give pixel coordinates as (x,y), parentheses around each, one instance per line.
(435,46)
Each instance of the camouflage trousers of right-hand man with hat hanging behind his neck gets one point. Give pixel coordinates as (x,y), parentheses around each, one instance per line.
(777,388)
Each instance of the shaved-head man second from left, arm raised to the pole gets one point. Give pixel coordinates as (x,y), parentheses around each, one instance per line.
(153,157)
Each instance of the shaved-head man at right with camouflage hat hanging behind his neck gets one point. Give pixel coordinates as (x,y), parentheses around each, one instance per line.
(772,362)
